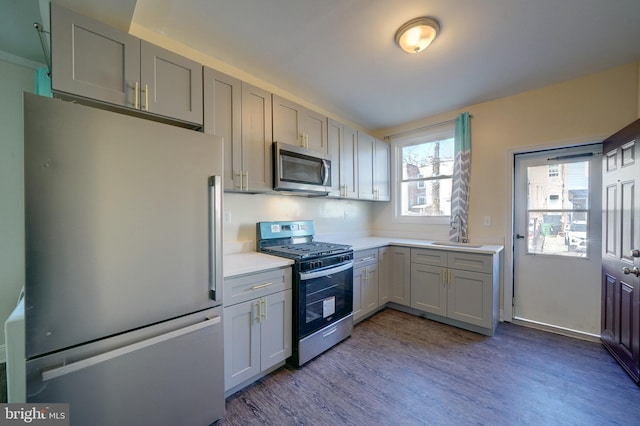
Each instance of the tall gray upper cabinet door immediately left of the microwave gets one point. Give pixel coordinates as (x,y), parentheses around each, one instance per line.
(256,139)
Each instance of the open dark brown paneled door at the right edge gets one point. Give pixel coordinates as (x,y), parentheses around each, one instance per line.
(620,248)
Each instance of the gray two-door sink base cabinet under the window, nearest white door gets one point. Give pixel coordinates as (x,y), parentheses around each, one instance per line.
(458,288)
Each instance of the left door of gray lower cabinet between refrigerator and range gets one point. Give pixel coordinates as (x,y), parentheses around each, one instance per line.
(241,343)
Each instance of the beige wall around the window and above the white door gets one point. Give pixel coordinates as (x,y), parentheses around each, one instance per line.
(586,109)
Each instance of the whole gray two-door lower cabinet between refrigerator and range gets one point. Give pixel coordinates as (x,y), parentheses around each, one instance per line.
(257,326)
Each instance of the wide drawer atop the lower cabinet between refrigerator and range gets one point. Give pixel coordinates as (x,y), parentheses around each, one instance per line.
(247,287)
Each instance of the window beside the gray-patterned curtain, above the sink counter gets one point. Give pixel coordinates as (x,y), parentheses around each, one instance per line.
(424,167)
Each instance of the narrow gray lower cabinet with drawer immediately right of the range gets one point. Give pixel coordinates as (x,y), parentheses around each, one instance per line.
(365,283)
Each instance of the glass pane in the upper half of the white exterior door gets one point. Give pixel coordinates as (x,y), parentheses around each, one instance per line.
(558,209)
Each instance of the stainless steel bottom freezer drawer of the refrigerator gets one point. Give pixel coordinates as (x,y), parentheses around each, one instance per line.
(167,374)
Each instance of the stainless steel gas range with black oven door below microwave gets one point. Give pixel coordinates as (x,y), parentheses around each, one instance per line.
(322,285)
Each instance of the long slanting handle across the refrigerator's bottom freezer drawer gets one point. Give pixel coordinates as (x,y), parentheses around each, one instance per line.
(56,372)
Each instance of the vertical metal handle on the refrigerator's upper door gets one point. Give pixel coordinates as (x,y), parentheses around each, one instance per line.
(215,238)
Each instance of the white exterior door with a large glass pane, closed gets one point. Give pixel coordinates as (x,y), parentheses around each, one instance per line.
(557,239)
